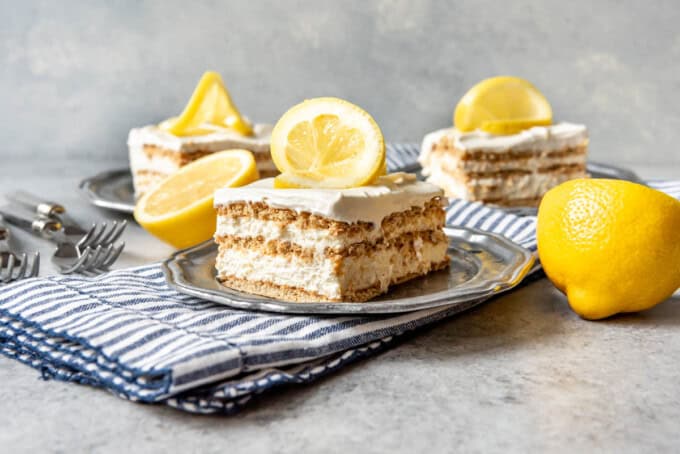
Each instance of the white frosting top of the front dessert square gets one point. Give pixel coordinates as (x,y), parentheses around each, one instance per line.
(389,194)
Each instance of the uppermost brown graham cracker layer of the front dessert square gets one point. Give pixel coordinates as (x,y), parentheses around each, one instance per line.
(432,211)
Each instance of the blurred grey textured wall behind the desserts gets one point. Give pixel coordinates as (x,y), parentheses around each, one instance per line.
(76,75)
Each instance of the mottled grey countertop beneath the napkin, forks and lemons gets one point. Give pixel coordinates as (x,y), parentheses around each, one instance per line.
(520,373)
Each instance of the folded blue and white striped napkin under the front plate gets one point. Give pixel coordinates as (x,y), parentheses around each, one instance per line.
(128,332)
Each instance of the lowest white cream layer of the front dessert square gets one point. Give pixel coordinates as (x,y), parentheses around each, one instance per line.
(319,275)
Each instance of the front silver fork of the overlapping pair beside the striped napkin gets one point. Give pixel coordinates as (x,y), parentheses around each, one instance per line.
(67,257)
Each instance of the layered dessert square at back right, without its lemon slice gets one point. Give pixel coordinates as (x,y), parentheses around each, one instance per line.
(505,170)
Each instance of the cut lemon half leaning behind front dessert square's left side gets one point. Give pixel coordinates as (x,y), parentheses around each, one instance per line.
(180,210)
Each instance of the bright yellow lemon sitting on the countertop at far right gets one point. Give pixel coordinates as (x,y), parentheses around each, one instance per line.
(611,246)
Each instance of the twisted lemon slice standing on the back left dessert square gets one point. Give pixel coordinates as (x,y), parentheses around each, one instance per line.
(210,104)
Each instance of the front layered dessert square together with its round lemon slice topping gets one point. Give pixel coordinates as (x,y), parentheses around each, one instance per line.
(332,226)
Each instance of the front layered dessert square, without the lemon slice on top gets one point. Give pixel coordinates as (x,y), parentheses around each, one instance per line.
(310,245)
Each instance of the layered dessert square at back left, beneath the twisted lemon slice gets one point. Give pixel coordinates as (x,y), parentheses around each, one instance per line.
(155,153)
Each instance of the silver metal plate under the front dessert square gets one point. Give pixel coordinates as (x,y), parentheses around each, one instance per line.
(482,265)
